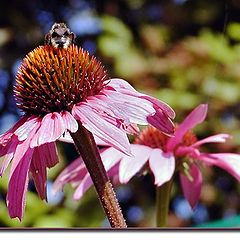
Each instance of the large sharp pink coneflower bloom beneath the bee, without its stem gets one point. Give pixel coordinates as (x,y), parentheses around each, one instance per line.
(61,90)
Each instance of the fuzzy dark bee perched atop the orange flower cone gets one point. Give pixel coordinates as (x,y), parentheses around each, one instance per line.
(60,36)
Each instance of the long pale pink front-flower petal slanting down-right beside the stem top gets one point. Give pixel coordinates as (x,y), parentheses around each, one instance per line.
(107,132)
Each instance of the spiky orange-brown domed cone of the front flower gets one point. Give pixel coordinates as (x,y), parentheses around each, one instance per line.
(54,79)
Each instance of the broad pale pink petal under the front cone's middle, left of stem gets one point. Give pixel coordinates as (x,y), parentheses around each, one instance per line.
(52,127)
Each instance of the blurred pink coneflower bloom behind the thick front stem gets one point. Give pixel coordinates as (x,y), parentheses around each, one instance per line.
(162,156)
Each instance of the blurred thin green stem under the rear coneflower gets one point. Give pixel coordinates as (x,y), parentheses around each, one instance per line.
(162,203)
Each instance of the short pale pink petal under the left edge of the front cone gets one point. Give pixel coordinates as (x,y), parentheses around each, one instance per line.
(25,129)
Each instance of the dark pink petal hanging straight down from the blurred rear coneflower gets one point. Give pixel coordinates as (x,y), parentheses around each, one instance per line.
(192,188)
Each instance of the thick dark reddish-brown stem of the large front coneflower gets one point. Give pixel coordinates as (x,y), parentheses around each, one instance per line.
(86,146)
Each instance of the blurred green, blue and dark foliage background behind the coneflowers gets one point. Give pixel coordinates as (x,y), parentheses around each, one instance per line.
(184,52)
